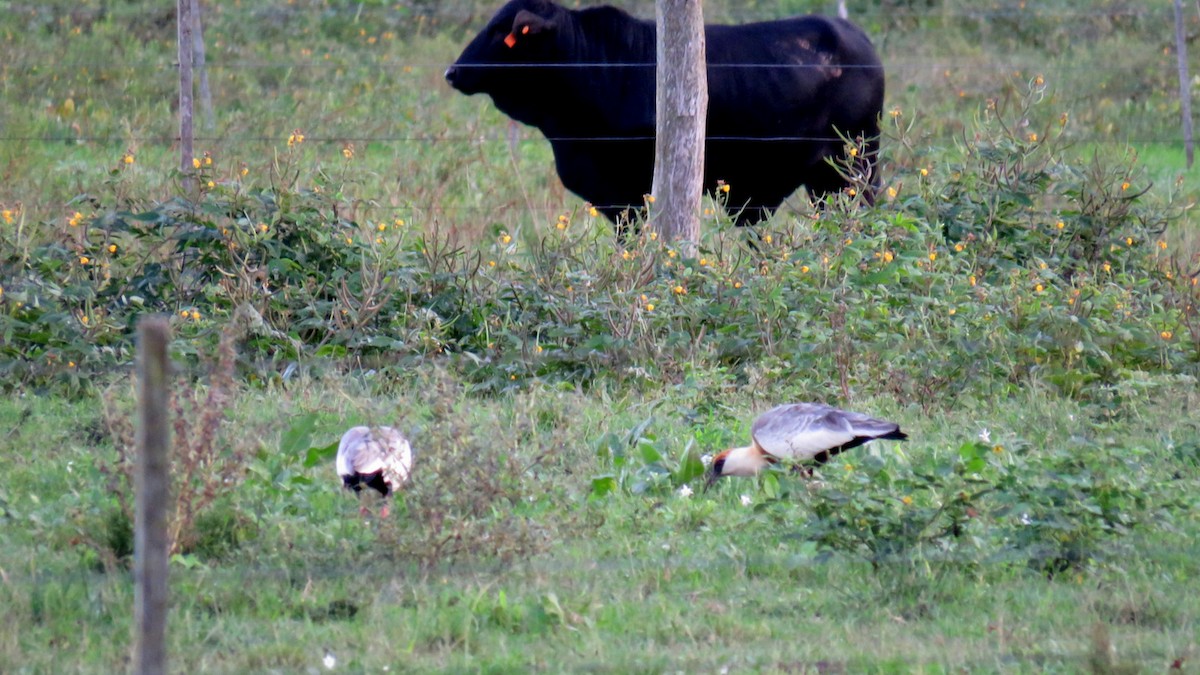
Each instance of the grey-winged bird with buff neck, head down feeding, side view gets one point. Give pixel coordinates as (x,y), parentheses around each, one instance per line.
(801,433)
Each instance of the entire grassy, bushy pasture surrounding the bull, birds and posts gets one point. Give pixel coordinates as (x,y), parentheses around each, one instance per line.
(1023,304)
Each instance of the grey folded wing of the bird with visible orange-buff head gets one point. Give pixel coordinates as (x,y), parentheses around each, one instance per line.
(801,432)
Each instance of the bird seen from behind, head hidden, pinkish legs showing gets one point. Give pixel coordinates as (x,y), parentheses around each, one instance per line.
(376,457)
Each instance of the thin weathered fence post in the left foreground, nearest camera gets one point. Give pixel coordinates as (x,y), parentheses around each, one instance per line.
(153,483)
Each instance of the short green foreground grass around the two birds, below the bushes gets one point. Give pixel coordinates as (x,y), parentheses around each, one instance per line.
(649,583)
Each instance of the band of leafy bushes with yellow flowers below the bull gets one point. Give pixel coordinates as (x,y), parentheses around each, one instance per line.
(1015,264)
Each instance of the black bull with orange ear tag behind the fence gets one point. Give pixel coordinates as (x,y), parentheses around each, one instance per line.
(783,95)
